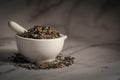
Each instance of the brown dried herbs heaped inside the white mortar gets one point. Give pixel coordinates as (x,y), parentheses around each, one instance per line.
(41,32)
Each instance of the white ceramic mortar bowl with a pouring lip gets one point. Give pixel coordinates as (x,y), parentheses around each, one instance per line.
(40,50)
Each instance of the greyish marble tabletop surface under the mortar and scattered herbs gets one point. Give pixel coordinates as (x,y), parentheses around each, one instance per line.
(93,61)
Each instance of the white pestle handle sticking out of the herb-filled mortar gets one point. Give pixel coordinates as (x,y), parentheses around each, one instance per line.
(16,27)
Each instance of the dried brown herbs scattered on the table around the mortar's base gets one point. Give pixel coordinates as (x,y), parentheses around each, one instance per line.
(61,61)
